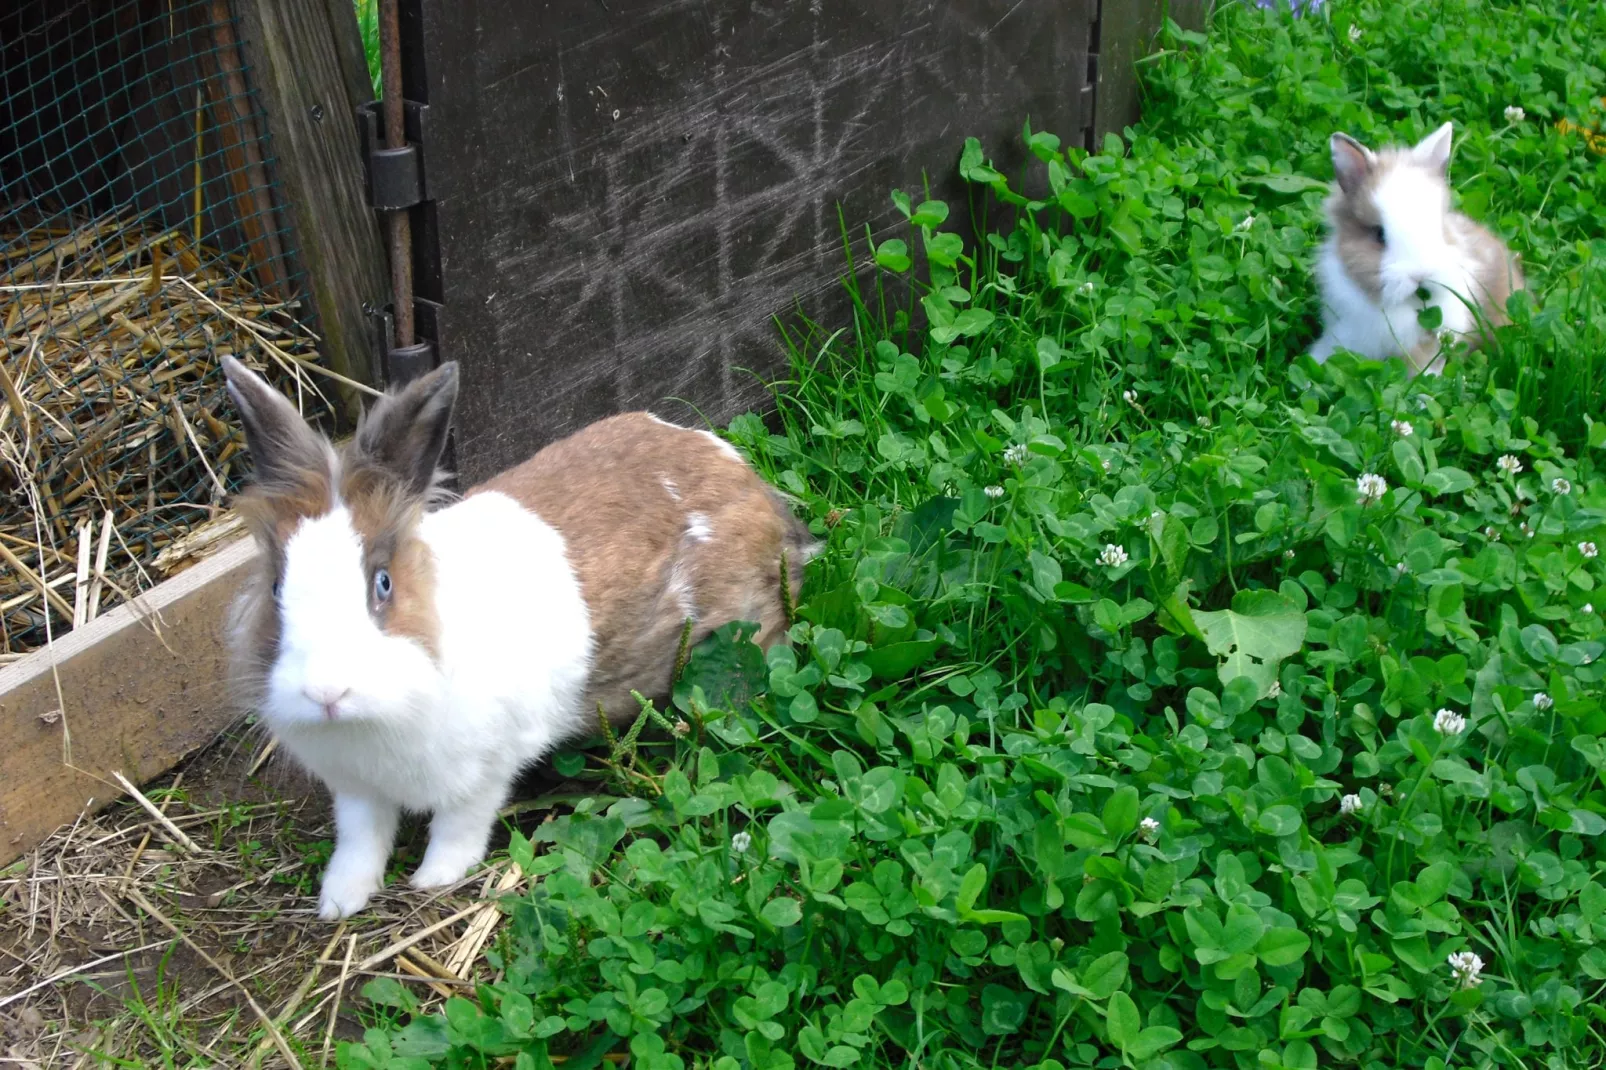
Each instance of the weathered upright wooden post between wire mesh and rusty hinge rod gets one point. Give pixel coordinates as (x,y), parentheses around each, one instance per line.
(303,55)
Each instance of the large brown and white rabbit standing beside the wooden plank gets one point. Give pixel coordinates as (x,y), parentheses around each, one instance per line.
(418,658)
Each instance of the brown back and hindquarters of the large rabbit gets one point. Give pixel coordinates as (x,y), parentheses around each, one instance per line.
(662,525)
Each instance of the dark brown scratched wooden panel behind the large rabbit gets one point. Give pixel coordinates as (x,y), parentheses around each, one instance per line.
(629,192)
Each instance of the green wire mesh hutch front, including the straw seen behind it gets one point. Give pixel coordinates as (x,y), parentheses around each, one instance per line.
(142,239)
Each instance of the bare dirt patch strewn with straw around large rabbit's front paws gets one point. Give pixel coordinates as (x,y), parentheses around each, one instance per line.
(195,941)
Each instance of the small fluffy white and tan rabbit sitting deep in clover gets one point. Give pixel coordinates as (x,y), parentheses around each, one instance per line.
(1392,232)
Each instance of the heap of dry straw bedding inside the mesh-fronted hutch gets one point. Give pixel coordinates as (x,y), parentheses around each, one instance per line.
(116,438)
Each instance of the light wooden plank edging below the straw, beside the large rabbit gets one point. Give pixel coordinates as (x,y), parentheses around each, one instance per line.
(132,692)
